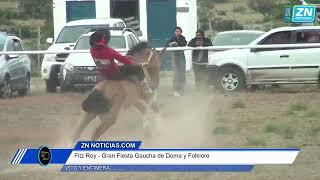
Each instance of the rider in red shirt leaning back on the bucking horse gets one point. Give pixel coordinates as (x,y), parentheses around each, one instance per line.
(104,57)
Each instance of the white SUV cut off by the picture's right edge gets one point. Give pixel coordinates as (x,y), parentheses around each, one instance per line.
(236,69)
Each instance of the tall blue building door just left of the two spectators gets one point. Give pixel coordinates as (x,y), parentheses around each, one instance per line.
(161,15)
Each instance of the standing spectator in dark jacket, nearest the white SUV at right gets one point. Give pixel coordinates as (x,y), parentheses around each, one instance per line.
(200,59)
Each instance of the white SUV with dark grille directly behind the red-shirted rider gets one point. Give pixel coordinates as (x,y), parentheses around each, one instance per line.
(79,69)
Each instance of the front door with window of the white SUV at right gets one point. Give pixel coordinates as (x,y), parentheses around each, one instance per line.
(271,65)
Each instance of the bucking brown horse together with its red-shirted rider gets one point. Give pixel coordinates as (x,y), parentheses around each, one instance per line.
(108,98)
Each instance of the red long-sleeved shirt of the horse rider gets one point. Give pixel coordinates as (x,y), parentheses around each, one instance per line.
(105,57)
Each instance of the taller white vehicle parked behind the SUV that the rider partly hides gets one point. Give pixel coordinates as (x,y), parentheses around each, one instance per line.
(67,38)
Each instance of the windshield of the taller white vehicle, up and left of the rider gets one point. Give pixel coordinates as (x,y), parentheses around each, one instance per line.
(70,34)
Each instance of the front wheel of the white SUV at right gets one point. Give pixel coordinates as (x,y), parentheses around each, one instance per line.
(230,79)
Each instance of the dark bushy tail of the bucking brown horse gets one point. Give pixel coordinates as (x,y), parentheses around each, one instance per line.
(96,102)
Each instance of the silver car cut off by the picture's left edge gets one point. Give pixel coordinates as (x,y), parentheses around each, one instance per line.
(14,69)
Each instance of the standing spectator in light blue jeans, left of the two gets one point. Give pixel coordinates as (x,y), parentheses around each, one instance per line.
(178,62)
